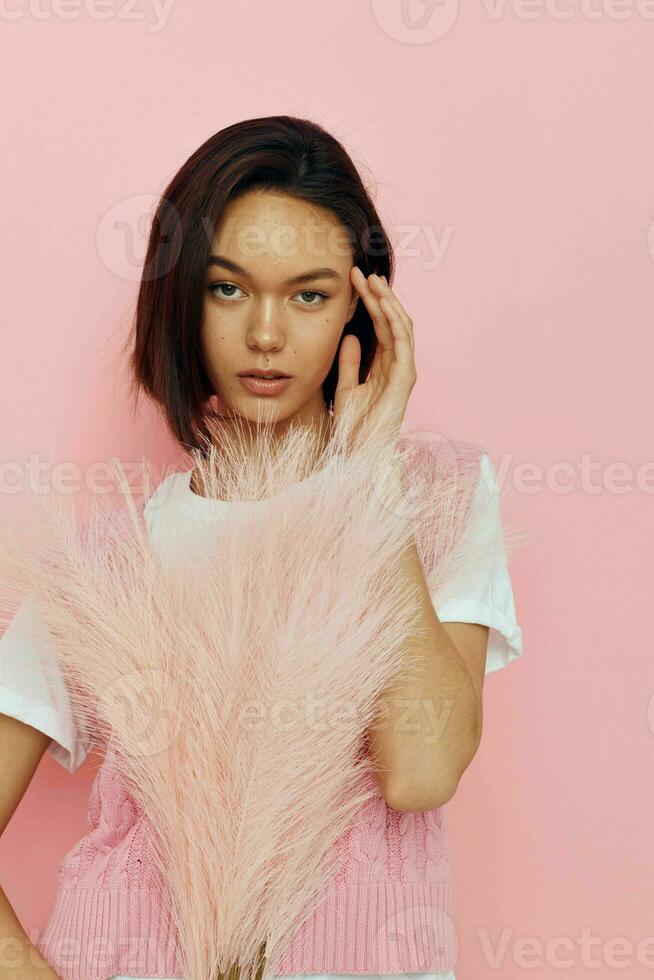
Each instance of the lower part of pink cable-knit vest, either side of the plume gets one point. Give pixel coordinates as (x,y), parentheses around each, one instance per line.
(388,909)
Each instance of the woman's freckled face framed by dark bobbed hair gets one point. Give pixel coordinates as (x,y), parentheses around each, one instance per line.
(259,313)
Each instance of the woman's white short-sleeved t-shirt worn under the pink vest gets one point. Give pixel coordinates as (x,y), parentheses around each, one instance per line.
(39,698)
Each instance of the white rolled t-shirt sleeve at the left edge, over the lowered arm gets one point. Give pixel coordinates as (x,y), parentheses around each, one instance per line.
(33,690)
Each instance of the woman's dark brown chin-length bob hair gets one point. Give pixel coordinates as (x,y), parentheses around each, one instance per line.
(278,153)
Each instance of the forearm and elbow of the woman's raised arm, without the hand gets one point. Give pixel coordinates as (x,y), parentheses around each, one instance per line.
(431,721)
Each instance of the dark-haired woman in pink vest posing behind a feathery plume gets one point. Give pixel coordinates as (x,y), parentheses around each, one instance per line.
(267,257)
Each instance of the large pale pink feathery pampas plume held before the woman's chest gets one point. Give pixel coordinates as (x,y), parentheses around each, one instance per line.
(232,687)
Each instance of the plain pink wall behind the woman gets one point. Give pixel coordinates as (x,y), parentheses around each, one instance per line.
(522,140)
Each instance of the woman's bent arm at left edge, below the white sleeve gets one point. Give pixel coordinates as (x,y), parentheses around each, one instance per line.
(21,749)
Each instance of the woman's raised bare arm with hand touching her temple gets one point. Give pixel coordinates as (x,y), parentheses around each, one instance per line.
(430,723)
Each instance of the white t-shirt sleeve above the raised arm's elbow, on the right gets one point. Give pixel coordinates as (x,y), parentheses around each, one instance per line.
(488,598)
